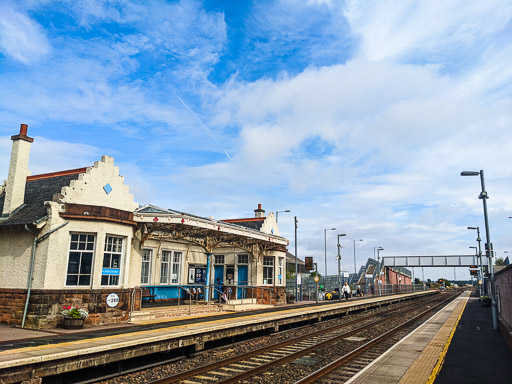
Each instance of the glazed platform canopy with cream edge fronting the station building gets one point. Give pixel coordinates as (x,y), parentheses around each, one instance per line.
(208,233)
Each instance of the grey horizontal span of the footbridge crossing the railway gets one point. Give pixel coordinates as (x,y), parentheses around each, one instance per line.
(430,261)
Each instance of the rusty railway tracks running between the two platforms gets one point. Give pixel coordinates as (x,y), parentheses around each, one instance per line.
(358,341)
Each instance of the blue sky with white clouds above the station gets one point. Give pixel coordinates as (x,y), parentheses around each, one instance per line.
(354,115)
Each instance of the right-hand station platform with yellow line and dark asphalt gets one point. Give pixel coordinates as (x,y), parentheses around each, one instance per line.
(456,345)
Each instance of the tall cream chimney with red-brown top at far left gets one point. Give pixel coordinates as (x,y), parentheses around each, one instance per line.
(18,171)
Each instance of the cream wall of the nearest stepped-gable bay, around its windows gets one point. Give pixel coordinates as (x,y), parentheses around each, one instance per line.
(52,253)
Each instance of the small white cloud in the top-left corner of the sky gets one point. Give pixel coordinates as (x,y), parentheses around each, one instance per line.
(21,37)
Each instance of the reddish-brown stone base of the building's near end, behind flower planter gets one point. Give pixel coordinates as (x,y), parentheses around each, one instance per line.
(45,306)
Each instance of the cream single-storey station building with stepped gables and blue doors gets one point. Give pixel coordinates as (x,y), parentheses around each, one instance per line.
(77,237)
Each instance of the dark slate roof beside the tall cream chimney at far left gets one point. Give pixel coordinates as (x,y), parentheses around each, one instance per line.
(36,193)
